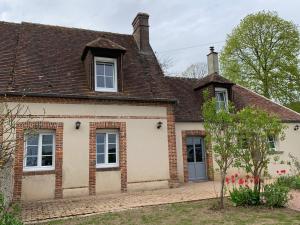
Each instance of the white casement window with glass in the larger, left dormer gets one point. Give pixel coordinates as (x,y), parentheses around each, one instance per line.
(105,74)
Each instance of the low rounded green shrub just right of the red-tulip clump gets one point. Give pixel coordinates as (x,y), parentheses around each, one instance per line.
(275,195)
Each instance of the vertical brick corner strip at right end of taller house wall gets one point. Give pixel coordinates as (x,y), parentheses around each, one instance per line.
(172,146)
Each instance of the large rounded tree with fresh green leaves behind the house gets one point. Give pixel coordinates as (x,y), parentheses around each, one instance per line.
(262,53)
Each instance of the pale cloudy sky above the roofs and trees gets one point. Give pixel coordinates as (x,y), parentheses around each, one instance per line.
(180,31)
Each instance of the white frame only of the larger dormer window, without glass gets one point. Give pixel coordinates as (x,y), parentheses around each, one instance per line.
(115,76)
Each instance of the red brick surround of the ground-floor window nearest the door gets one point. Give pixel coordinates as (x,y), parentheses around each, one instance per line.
(121,126)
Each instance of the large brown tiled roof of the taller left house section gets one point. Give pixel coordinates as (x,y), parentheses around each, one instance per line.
(43,59)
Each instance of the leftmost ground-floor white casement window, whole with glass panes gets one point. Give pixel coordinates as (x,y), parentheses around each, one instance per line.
(39,152)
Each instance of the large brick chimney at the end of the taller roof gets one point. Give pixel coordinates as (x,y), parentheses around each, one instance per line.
(141,31)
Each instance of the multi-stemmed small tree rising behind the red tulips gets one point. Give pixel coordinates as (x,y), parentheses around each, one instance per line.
(255,128)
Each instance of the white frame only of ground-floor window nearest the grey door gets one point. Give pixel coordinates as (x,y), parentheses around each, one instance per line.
(106,164)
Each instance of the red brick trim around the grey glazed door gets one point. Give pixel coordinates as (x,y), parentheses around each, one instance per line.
(209,159)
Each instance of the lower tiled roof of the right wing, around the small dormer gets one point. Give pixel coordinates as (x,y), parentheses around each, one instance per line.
(190,101)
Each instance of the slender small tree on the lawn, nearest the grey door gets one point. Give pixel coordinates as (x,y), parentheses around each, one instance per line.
(220,127)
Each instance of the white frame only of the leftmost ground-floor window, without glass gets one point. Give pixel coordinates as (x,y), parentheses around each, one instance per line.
(39,166)
